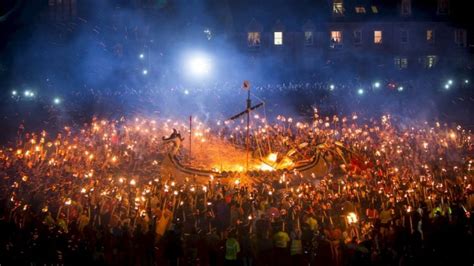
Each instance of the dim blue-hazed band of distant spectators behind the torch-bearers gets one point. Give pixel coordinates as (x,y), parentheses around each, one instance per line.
(217,99)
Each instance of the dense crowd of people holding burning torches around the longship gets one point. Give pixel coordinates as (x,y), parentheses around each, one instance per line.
(95,195)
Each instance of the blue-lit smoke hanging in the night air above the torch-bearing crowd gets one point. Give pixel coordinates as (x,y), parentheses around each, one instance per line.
(115,59)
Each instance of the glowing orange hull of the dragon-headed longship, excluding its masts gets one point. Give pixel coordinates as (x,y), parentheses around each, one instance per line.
(219,158)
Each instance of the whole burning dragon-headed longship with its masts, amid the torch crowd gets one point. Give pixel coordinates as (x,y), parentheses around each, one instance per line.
(220,158)
